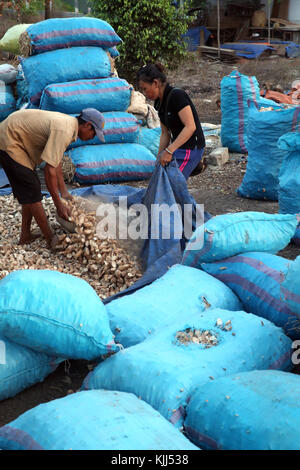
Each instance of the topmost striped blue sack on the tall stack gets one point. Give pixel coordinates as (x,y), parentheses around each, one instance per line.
(58,33)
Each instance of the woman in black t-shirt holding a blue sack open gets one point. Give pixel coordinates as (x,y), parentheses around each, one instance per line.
(182,137)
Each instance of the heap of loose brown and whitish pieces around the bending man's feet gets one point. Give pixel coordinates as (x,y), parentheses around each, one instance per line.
(104,264)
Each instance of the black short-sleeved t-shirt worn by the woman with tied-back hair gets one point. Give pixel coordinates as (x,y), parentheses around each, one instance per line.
(178,100)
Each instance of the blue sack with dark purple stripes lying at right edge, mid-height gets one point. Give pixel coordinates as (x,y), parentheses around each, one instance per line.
(257,278)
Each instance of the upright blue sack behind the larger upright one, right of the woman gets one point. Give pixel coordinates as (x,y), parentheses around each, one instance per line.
(261,180)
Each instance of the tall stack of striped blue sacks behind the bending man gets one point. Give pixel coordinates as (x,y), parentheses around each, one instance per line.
(70,68)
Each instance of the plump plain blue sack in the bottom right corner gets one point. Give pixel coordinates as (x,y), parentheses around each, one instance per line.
(257,410)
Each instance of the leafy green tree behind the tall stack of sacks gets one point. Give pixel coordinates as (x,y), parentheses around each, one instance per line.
(151,31)
